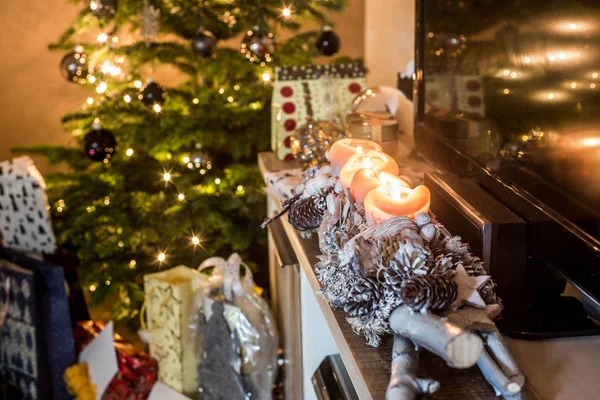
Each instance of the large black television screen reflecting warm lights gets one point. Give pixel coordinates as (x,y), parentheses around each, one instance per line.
(511,89)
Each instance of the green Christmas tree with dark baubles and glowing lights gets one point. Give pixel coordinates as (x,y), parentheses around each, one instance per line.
(164,172)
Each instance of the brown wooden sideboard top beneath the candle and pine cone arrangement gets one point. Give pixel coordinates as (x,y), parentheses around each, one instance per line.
(369,367)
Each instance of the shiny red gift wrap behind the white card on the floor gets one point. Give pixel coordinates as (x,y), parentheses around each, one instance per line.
(137,370)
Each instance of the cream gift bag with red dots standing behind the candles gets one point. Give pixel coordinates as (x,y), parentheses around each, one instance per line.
(320,92)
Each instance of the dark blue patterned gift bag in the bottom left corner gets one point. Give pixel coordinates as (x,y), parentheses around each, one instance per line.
(36,342)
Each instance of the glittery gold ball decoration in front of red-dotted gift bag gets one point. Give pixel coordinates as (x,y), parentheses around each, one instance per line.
(311,141)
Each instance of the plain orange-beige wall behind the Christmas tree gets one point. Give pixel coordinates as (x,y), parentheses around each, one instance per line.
(33,94)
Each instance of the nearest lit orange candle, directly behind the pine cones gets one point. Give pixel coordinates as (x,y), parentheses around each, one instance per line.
(394,200)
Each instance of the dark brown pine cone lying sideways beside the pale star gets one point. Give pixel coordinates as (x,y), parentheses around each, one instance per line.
(429,292)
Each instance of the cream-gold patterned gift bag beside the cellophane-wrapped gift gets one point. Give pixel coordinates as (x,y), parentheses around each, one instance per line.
(169,300)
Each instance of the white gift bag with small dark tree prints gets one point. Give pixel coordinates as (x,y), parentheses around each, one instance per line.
(24,219)
